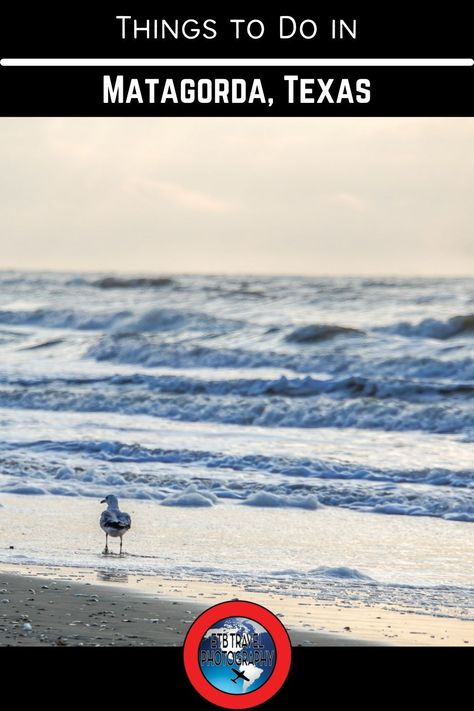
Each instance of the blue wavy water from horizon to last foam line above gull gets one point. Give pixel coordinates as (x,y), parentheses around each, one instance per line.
(364,388)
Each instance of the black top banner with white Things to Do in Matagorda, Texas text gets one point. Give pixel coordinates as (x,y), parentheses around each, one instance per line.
(376,72)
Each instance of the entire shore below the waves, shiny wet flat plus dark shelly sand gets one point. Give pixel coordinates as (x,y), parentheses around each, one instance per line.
(54,577)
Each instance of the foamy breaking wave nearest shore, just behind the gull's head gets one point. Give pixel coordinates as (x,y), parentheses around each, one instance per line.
(173,483)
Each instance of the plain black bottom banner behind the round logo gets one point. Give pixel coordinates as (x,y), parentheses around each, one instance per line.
(318,676)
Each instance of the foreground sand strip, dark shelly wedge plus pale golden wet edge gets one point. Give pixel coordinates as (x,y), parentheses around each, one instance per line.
(68,609)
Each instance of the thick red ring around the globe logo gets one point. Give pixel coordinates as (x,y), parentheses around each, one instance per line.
(252,611)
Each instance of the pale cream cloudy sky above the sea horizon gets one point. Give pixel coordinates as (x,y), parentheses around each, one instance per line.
(312,196)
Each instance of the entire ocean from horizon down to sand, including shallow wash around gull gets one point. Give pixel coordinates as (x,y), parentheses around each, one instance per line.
(310,435)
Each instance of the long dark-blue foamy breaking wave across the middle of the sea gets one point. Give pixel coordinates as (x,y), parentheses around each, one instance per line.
(300,402)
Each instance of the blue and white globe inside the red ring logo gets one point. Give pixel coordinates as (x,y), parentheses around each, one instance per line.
(237,655)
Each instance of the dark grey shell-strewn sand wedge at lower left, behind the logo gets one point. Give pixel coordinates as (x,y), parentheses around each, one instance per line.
(36,611)
